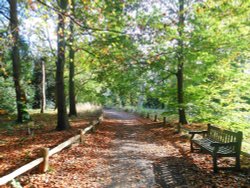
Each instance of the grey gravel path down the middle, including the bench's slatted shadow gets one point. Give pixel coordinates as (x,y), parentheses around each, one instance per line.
(132,163)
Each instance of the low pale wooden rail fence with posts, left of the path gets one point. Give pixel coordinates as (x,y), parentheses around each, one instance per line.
(43,161)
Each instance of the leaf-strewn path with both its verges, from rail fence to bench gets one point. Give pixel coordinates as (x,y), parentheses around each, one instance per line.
(128,151)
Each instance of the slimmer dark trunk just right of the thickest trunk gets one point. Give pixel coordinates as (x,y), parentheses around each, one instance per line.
(72,99)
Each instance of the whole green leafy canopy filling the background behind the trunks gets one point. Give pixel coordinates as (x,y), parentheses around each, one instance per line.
(127,55)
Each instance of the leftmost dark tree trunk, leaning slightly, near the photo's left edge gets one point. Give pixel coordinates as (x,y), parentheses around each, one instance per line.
(22,113)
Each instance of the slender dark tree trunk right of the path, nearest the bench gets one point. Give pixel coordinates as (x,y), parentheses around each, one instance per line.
(180,92)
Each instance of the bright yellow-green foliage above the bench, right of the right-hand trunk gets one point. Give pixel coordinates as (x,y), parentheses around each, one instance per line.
(217,89)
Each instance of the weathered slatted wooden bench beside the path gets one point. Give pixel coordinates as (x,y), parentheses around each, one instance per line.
(219,143)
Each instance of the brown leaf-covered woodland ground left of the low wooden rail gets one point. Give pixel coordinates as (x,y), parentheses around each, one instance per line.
(18,147)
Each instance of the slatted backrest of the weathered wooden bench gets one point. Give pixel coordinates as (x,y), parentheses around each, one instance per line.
(225,136)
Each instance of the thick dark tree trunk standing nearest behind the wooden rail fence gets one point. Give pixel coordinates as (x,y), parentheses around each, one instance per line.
(62,118)
